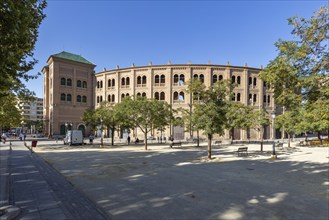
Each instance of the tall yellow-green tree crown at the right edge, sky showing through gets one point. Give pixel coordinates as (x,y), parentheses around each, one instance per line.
(299,74)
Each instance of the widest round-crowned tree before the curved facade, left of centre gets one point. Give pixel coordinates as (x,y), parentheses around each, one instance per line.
(146,114)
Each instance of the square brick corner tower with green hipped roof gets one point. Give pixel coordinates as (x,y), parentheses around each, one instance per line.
(68,91)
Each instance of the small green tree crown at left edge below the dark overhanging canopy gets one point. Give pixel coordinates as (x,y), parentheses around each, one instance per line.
(10,115)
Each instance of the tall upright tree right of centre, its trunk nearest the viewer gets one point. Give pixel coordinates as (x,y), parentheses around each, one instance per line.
(210,107)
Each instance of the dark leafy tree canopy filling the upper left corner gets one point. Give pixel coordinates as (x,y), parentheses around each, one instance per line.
(19,24)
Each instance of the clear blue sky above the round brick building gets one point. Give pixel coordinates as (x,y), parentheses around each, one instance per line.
(110,33)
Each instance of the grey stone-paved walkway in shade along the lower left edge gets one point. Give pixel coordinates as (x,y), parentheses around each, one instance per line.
(38,190)
